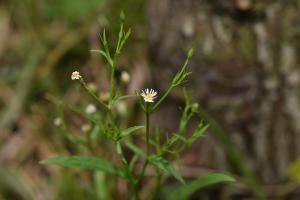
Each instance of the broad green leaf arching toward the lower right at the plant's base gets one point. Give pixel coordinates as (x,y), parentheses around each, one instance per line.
(185,191)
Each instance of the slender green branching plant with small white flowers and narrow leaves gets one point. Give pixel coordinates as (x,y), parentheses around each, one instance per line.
(106,124)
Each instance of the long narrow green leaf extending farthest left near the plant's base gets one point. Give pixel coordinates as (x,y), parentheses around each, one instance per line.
(84,162)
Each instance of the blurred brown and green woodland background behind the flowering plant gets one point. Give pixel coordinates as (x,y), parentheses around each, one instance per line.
(246,78)
